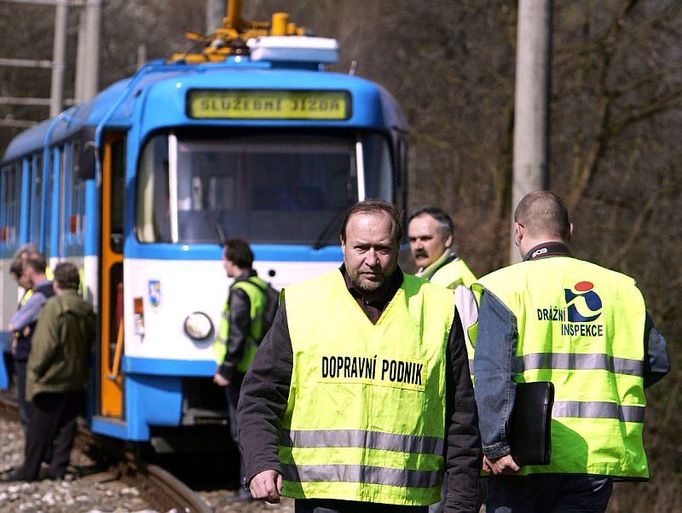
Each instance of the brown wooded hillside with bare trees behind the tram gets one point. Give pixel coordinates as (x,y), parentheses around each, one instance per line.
(616,122)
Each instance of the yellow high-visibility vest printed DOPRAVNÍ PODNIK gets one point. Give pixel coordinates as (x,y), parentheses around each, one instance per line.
(365,417)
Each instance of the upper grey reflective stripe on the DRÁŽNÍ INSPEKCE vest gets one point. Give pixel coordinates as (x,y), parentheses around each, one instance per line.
(578,362)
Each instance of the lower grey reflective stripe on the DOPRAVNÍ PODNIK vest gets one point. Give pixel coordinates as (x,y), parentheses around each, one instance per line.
(363,474)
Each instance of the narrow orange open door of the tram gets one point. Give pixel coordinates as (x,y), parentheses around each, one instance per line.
(111,275)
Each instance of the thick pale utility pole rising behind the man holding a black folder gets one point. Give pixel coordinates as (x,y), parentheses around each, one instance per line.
(531,119)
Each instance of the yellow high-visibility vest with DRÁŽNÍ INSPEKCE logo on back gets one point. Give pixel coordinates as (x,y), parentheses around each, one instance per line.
(582,327)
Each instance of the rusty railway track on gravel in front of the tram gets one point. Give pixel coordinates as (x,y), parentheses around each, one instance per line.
(159,488)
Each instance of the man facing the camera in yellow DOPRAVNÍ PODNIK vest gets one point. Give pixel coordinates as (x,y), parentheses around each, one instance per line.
(360,394)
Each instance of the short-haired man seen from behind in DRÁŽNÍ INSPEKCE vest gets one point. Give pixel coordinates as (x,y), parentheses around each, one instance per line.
(583,327)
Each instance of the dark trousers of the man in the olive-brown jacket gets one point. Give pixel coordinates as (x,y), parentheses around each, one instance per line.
(52,430)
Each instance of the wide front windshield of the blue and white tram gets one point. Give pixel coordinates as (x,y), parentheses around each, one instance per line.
(277,188)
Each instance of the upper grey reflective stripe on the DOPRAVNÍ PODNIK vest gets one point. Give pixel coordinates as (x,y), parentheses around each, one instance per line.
(363,439)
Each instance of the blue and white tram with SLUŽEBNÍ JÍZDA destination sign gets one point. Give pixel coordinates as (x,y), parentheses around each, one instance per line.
(138,185)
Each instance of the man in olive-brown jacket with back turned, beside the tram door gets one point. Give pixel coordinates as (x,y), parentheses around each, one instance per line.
(57,371)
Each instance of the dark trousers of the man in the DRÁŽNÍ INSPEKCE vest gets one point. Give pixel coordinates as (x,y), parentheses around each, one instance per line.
(548,493)
